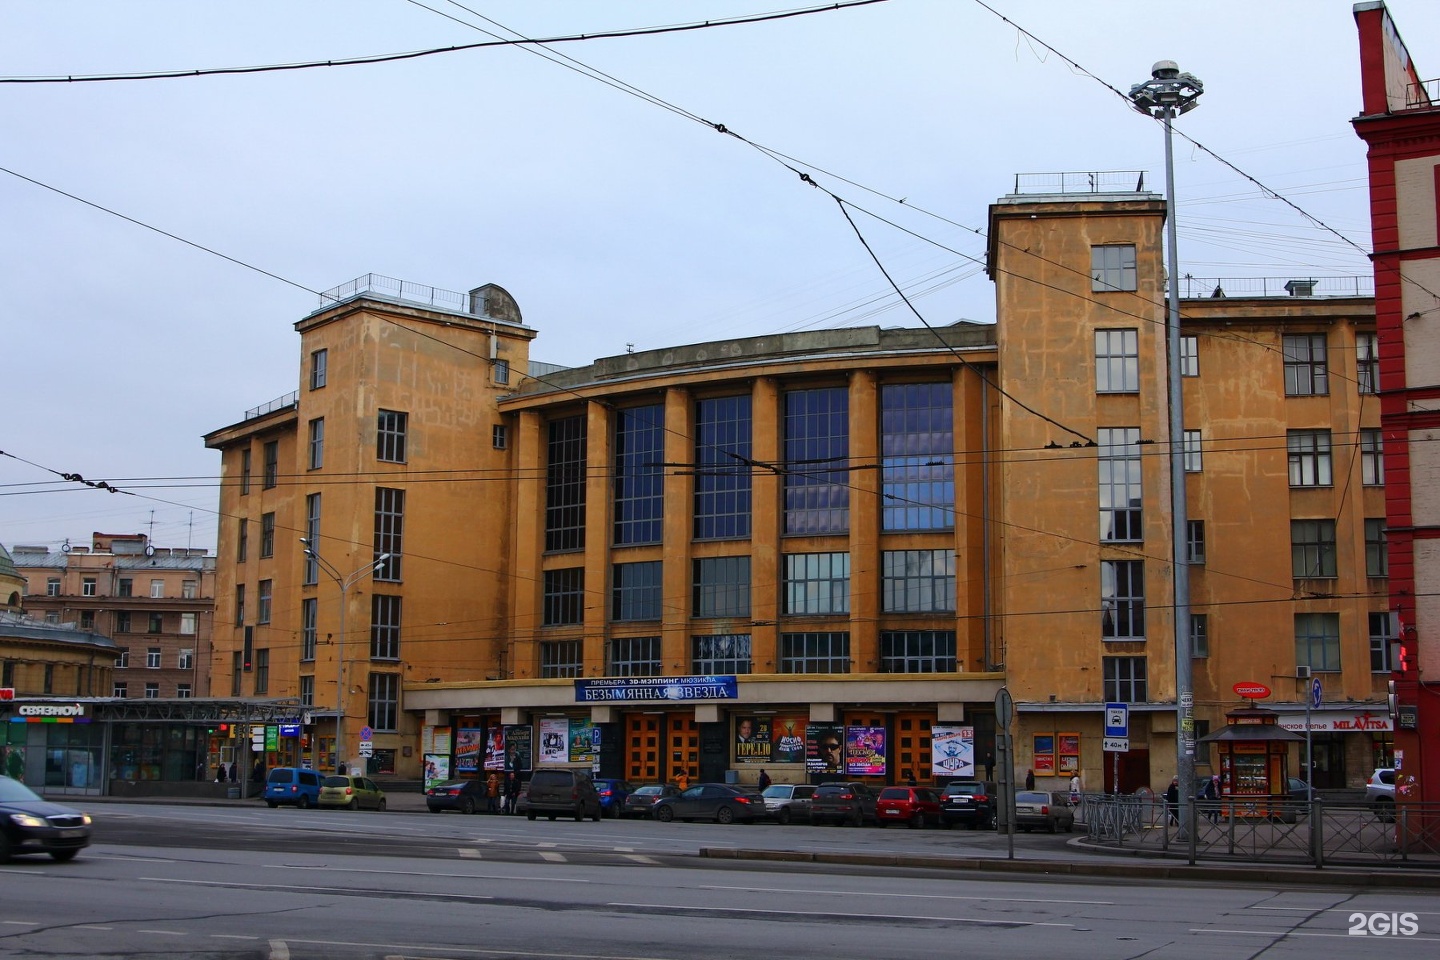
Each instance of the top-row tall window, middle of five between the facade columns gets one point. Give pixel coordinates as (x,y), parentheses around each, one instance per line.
(722,468)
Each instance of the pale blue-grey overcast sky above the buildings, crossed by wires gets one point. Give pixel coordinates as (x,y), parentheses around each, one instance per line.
(616,222)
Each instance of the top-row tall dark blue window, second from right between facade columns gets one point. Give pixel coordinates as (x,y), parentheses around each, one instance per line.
(817,451)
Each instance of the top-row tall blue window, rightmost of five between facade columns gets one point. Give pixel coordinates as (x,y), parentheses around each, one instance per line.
(918,457)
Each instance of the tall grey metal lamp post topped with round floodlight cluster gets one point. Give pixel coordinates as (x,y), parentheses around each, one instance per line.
(1167,96)
